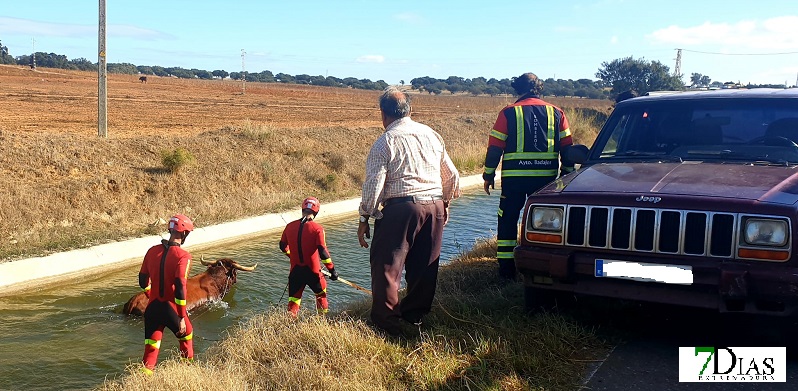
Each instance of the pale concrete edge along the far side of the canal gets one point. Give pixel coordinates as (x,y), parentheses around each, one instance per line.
(31,273)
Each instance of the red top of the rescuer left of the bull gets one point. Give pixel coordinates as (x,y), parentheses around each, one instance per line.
(164,273)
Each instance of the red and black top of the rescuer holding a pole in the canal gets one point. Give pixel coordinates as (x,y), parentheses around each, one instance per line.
(304,243)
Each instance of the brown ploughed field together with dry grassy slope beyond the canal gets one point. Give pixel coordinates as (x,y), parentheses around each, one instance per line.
(247,150)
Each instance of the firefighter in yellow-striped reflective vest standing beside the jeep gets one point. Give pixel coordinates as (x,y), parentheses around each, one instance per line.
(528,138)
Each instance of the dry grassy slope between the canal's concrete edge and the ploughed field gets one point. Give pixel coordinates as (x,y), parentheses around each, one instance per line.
(67,191)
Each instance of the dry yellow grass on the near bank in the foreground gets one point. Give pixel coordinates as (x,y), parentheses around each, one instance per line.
(476,338)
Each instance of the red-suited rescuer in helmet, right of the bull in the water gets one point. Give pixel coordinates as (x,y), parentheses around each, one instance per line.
(304,243)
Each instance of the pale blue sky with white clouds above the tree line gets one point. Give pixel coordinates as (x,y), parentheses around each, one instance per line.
(728,40)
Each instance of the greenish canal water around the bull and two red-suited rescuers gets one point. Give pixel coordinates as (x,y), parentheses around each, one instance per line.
(73,336)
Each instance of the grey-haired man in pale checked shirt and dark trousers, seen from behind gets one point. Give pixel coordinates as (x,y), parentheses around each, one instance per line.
(410,174)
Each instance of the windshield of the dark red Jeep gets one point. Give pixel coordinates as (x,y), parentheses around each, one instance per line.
(751,130)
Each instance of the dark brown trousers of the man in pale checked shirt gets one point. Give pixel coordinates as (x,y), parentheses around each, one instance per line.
(408,237)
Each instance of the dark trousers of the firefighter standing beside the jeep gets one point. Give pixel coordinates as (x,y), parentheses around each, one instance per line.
(511,203)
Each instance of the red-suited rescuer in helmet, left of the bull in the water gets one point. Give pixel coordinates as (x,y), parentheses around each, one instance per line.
(163,277)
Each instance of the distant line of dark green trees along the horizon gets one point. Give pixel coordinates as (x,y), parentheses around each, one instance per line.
(614,77)
